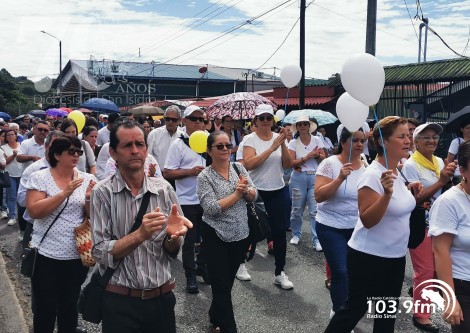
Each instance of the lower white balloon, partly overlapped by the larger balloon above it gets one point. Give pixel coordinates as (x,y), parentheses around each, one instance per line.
(351,112)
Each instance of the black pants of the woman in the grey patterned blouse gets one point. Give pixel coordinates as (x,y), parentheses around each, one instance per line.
(223,260)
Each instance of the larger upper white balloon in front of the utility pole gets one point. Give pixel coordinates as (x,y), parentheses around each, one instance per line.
(363,77)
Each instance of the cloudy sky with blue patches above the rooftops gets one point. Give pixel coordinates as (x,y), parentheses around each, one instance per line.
(200,32)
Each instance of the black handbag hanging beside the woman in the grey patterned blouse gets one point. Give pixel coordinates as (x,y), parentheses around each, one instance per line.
(258,219)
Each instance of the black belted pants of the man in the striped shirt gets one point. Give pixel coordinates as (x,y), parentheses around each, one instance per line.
(127,314)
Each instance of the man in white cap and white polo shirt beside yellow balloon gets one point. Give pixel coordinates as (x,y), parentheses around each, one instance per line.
(183,165)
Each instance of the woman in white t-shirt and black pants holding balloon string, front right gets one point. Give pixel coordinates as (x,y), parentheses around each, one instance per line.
(378,245)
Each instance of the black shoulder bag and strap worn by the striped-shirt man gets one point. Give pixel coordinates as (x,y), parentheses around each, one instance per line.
(91,295)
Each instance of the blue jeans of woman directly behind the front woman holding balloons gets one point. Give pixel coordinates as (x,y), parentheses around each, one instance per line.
(335,247)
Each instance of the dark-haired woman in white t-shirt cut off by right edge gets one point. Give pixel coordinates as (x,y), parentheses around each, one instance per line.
(449,226)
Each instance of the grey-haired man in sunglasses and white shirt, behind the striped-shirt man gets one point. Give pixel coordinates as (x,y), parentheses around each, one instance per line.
(160,139)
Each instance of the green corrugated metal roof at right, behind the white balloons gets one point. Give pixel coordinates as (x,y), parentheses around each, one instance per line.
(425,72)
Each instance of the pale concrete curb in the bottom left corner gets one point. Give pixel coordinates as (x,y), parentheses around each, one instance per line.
(11,314)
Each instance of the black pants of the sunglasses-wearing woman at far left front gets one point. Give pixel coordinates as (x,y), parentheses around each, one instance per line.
(56,286)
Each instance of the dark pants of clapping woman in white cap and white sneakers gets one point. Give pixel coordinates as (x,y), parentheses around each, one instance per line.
(275,207)
